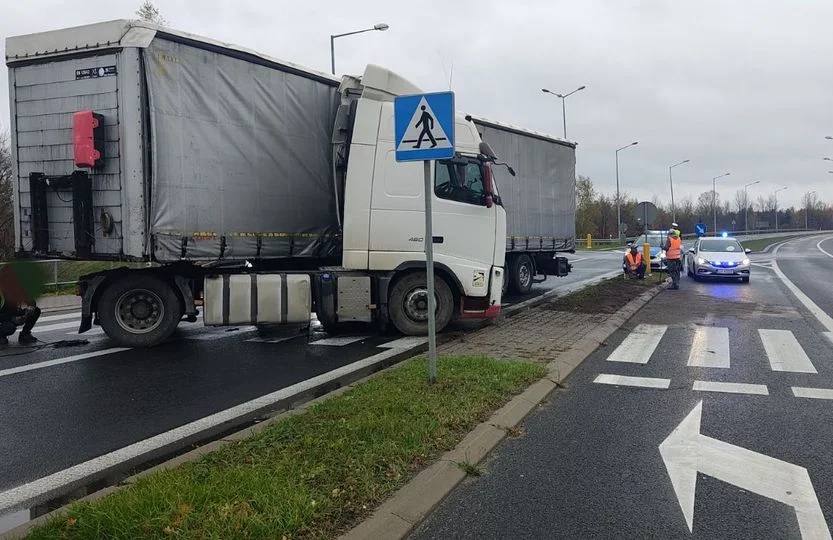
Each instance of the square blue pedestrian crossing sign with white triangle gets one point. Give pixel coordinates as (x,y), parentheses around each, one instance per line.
(424,126)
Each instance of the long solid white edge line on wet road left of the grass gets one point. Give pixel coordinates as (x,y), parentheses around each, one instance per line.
(22,495)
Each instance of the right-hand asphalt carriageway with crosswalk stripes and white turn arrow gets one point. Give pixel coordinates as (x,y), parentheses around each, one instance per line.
(590,464)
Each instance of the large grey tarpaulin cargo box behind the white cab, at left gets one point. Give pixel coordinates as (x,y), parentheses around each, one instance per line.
(210,152)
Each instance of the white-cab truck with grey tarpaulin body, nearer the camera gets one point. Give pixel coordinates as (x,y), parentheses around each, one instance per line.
(254,189)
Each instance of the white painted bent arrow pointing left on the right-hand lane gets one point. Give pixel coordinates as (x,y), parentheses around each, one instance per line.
(686,452)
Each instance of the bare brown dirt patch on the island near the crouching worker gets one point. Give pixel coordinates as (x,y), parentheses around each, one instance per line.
(607,297)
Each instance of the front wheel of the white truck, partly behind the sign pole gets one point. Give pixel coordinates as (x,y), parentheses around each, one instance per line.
(408,304)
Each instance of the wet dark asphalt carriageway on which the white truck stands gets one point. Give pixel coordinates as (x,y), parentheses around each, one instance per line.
(65,406)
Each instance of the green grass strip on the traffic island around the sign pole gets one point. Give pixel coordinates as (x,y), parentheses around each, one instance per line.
(313,475)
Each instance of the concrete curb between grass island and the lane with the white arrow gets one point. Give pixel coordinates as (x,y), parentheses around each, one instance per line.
(397,517)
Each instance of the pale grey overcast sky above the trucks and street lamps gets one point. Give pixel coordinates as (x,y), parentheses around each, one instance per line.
(735,86)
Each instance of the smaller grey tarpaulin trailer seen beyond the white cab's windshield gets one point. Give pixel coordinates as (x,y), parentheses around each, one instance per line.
(540,200)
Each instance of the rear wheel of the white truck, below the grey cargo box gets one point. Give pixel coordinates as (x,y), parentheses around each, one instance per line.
(139,311)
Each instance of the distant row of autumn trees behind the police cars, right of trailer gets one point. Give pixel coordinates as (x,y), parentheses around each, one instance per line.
(596,212)
